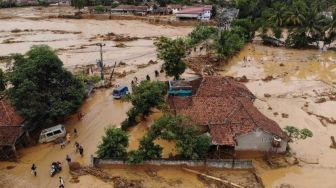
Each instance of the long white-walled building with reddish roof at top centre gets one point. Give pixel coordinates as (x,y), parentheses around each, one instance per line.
(199,13)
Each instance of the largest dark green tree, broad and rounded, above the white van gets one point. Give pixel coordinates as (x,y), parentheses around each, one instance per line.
(39,76)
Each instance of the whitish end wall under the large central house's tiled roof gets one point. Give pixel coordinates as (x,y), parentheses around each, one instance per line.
(258,141)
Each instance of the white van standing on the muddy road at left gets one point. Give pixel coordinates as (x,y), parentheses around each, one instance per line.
(52,133)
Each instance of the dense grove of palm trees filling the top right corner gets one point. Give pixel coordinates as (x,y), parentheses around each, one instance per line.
(308,21)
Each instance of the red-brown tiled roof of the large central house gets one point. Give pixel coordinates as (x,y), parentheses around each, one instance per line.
(226,107)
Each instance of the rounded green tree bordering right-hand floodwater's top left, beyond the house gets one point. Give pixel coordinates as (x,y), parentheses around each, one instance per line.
(227,44)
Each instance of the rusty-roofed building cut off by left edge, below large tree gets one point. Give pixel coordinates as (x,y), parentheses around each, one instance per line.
(11,131)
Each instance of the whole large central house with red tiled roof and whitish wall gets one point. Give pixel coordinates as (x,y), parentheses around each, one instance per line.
(224,108)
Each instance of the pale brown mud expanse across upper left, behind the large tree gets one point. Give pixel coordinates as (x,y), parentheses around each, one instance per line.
(75,40)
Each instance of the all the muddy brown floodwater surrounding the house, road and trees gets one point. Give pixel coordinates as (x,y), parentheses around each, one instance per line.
(299,78)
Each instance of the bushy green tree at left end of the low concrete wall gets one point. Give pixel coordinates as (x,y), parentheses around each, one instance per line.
(114,144)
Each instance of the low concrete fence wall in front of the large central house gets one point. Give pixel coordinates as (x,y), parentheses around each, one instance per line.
(211,163)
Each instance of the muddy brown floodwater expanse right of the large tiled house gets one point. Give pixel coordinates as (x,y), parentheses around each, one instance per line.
(298,79)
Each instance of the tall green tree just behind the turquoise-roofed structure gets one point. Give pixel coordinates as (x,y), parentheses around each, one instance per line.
(171,52)
